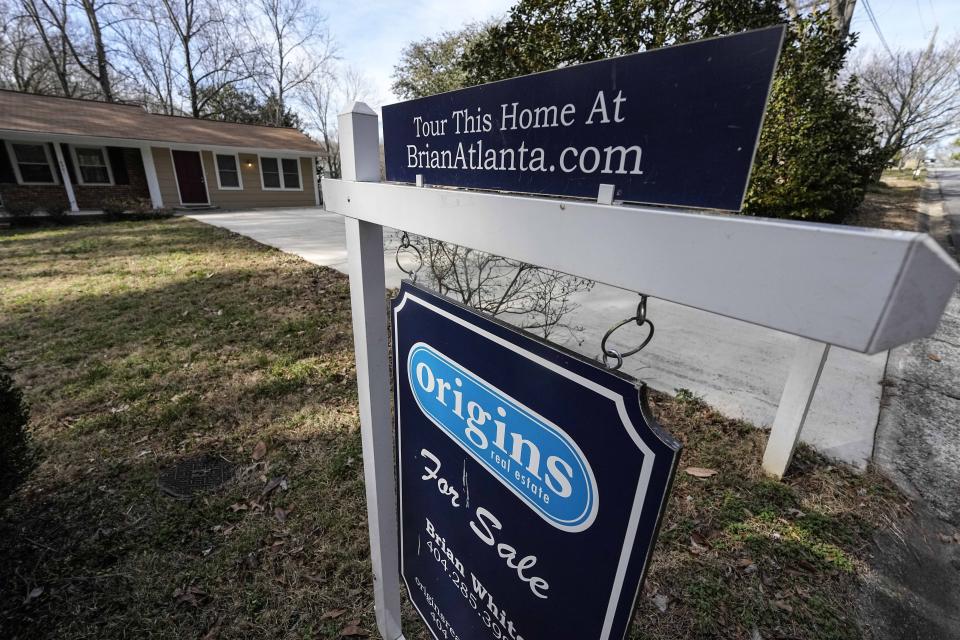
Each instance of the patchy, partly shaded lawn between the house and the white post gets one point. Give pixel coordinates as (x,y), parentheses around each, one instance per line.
(202,342)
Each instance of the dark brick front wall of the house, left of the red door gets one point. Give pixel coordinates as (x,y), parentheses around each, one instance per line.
(128,172)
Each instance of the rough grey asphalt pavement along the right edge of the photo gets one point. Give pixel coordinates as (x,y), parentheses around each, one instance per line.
(914,590)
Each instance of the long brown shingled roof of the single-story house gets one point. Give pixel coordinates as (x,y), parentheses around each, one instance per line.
(69,116)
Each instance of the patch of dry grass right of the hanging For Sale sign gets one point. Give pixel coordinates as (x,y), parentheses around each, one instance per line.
(740,552)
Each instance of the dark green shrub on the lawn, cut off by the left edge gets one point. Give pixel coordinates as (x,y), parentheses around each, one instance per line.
(17,457)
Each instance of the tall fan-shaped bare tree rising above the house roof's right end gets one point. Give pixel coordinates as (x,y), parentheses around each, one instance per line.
(293,45)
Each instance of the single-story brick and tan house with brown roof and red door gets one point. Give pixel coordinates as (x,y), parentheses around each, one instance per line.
(79,154)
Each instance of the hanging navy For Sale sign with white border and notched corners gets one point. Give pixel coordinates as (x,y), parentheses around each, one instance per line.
(531,480)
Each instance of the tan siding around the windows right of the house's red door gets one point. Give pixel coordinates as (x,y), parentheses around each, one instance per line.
(253,194)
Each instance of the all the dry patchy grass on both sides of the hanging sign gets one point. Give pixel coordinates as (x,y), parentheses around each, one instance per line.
(138,344)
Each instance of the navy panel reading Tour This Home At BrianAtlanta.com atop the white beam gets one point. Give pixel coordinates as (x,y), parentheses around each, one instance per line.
(672,126)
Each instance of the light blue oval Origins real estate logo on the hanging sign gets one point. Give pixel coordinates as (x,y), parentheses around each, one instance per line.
(530,455)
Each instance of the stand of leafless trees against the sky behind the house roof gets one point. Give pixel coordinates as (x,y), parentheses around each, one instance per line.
(201,58)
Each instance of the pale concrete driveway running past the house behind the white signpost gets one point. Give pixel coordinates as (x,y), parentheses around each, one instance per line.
(737,367)
